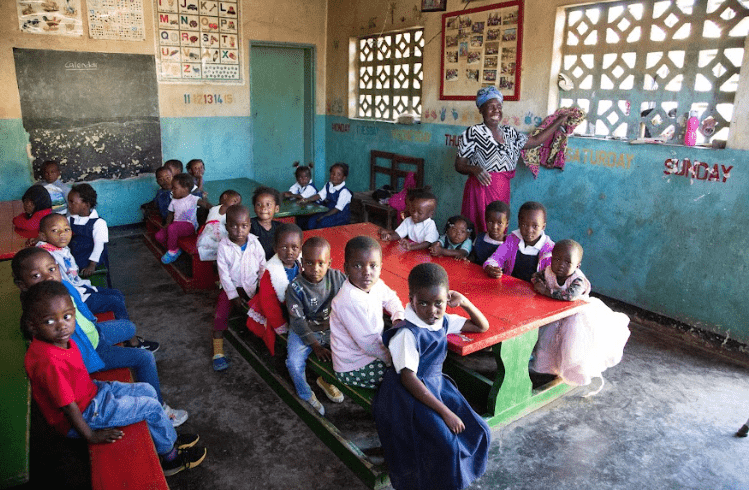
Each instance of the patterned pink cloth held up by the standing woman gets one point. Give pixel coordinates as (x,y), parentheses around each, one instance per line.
(551,153)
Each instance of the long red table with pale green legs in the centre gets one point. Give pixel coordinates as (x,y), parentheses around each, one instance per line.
(513,308)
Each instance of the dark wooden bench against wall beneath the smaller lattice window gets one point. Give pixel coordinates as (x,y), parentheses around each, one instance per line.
(396,168)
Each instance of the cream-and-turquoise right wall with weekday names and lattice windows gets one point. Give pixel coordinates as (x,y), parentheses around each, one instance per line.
(653,237)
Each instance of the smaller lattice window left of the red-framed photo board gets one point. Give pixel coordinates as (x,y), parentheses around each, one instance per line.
(389,74)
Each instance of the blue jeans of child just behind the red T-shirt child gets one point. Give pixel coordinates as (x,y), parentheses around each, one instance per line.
(139,360)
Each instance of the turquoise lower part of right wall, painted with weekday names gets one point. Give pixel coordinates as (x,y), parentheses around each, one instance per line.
(652,238)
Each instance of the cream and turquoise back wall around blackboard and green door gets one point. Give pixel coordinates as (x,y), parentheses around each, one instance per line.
(219,134)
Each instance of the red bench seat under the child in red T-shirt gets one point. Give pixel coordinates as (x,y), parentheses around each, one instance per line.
(131,462)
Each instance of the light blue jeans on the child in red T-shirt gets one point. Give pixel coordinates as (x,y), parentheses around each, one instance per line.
(120,404)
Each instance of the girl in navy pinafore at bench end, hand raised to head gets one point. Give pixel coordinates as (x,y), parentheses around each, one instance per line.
(422,419)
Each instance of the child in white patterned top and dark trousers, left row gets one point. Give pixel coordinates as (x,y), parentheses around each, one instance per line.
(55,235)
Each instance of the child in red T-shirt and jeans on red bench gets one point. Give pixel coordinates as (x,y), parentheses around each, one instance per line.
(77,406)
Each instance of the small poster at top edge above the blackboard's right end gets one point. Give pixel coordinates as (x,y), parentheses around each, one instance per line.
(121,20)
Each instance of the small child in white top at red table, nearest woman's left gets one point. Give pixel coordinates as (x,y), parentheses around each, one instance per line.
(418,227)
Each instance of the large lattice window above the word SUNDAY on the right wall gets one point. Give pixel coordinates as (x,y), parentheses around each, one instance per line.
(639,67)
